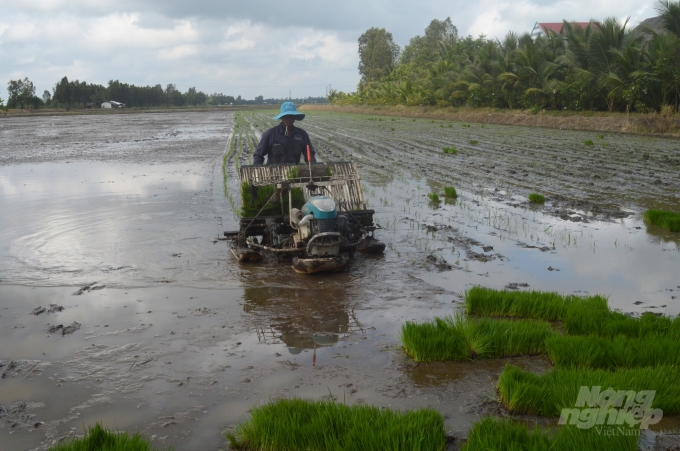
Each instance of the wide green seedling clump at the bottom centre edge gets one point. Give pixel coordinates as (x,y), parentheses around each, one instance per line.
(296,424)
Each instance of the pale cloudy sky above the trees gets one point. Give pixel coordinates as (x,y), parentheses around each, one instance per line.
(245,48)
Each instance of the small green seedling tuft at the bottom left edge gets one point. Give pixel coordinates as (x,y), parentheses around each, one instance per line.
(98,438)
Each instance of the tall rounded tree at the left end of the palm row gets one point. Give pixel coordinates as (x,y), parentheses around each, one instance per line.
(377,54)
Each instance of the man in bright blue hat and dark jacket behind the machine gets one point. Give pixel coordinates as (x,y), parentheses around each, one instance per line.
(284,143)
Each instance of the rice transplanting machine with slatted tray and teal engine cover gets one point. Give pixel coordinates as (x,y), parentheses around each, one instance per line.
(321,236)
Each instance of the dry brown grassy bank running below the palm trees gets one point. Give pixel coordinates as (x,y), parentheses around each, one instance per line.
(639,124)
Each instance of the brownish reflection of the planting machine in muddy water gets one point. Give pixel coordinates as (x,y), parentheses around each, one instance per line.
(301,318)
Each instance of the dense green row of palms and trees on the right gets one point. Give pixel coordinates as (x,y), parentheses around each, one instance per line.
(602,66)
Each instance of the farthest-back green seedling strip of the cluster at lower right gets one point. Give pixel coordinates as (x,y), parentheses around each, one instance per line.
(528,304)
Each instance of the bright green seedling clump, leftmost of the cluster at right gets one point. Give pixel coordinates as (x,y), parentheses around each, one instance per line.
(462,339)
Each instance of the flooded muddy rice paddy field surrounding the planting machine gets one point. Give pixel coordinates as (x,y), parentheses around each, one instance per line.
(115,219)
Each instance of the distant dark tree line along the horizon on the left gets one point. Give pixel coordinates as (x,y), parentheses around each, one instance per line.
(76,94)
